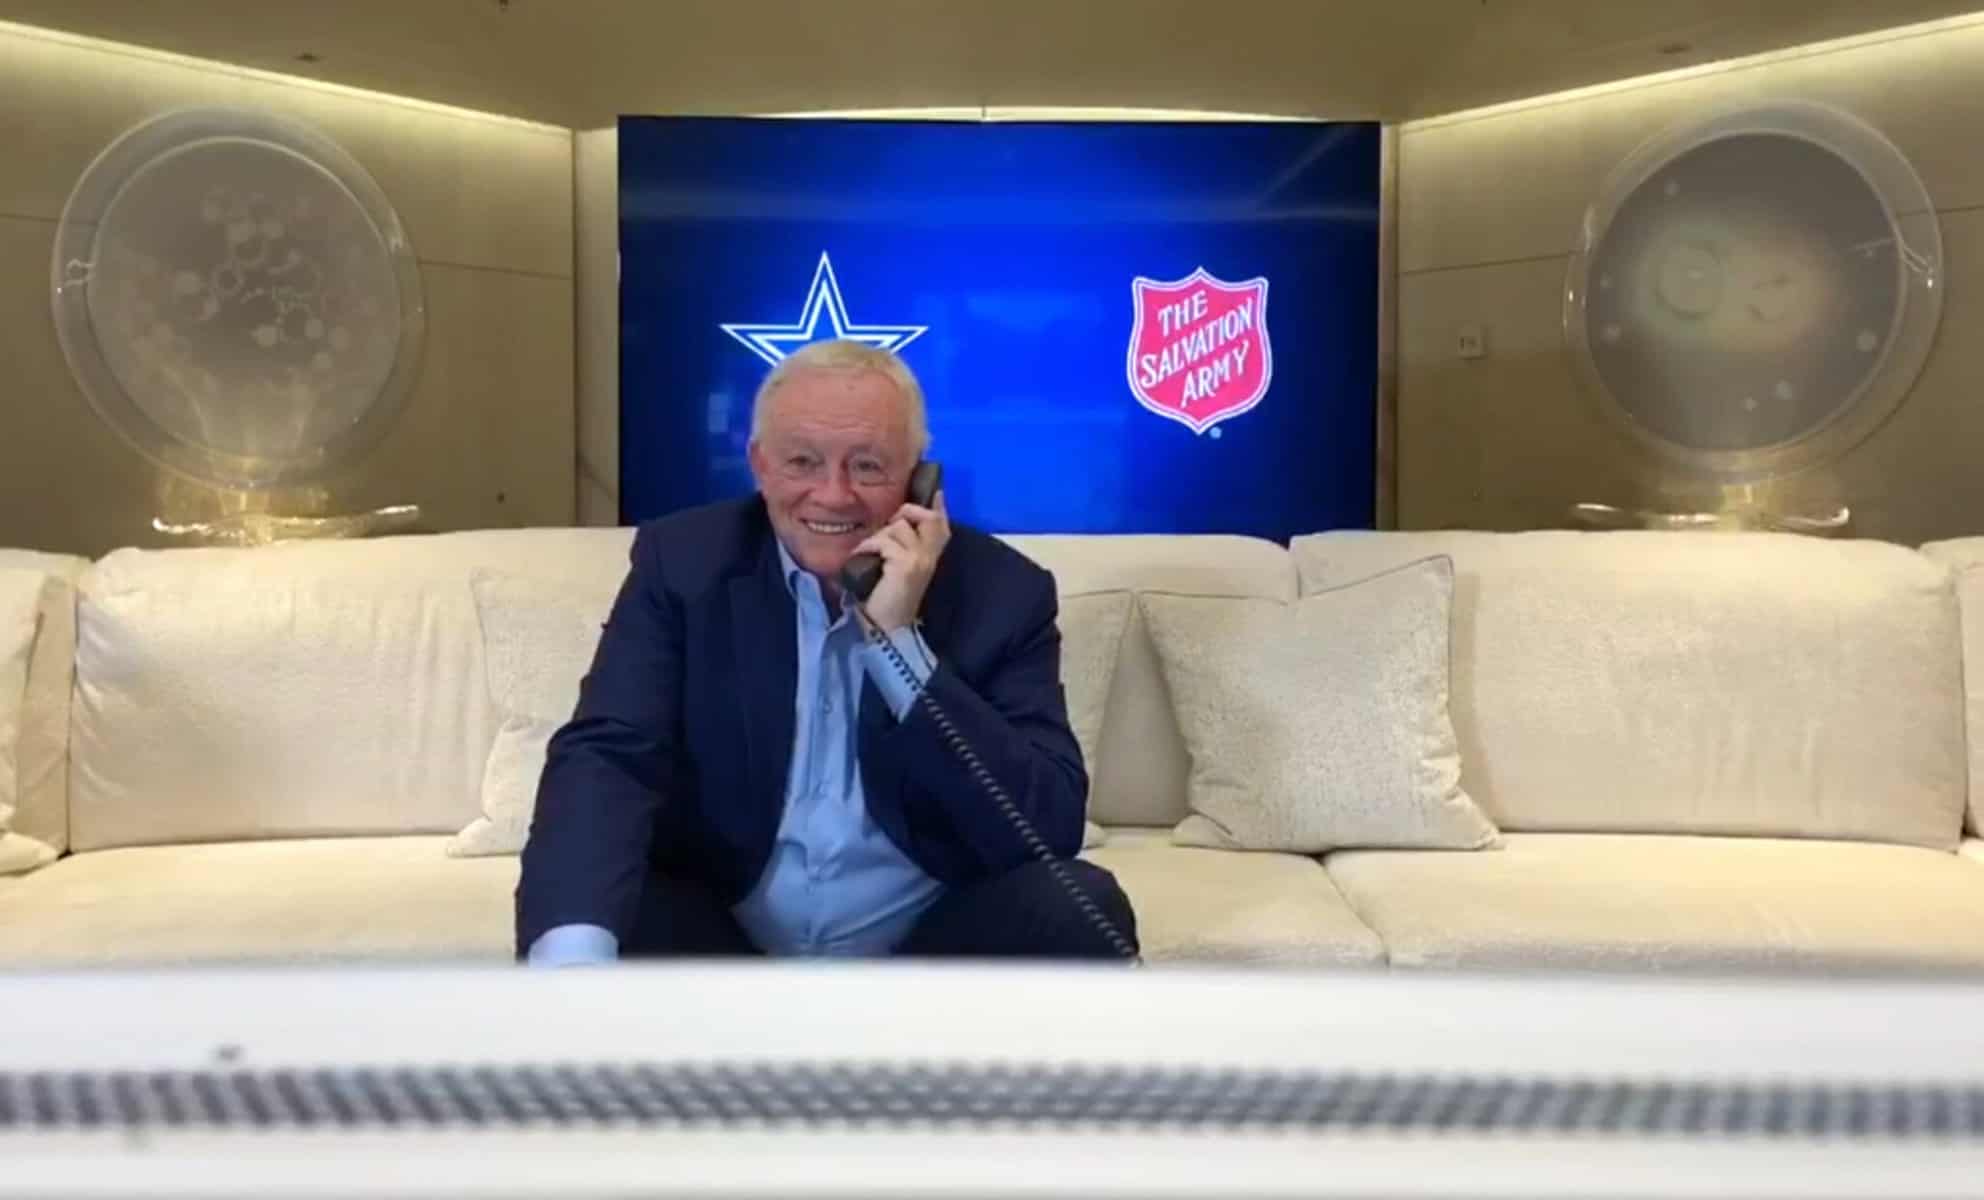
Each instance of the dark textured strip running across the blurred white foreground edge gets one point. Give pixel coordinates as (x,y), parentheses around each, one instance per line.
(971,1098)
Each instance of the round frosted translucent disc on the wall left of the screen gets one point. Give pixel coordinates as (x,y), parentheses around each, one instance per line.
(237,299)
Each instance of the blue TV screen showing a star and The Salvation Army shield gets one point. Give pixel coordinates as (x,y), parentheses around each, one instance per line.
(1122,328)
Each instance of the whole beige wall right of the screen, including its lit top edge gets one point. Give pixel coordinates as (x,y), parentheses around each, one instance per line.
(1489,215)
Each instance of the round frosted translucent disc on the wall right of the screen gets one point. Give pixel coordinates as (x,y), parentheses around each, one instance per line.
(1757,295)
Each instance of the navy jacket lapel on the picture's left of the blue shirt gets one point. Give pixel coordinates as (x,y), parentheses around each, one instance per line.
(765,650)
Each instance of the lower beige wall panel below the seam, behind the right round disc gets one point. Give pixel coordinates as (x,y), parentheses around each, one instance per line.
(1511,441)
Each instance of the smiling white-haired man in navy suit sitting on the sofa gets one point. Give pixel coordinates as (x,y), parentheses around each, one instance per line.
(749,775)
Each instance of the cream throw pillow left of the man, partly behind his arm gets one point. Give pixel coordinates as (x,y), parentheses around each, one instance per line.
(539,640)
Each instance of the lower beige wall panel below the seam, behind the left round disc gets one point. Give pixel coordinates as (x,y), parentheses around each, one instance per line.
(487,439)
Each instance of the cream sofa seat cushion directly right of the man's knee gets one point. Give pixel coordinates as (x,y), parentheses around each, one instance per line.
(1221,907)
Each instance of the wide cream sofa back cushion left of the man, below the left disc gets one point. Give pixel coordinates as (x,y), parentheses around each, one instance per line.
(295,691)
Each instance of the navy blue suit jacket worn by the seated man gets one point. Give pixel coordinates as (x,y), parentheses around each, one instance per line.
(678,755)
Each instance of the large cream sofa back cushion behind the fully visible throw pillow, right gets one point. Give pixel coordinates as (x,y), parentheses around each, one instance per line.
(1695,683)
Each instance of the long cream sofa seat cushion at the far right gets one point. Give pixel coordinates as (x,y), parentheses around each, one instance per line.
(1576,901)
